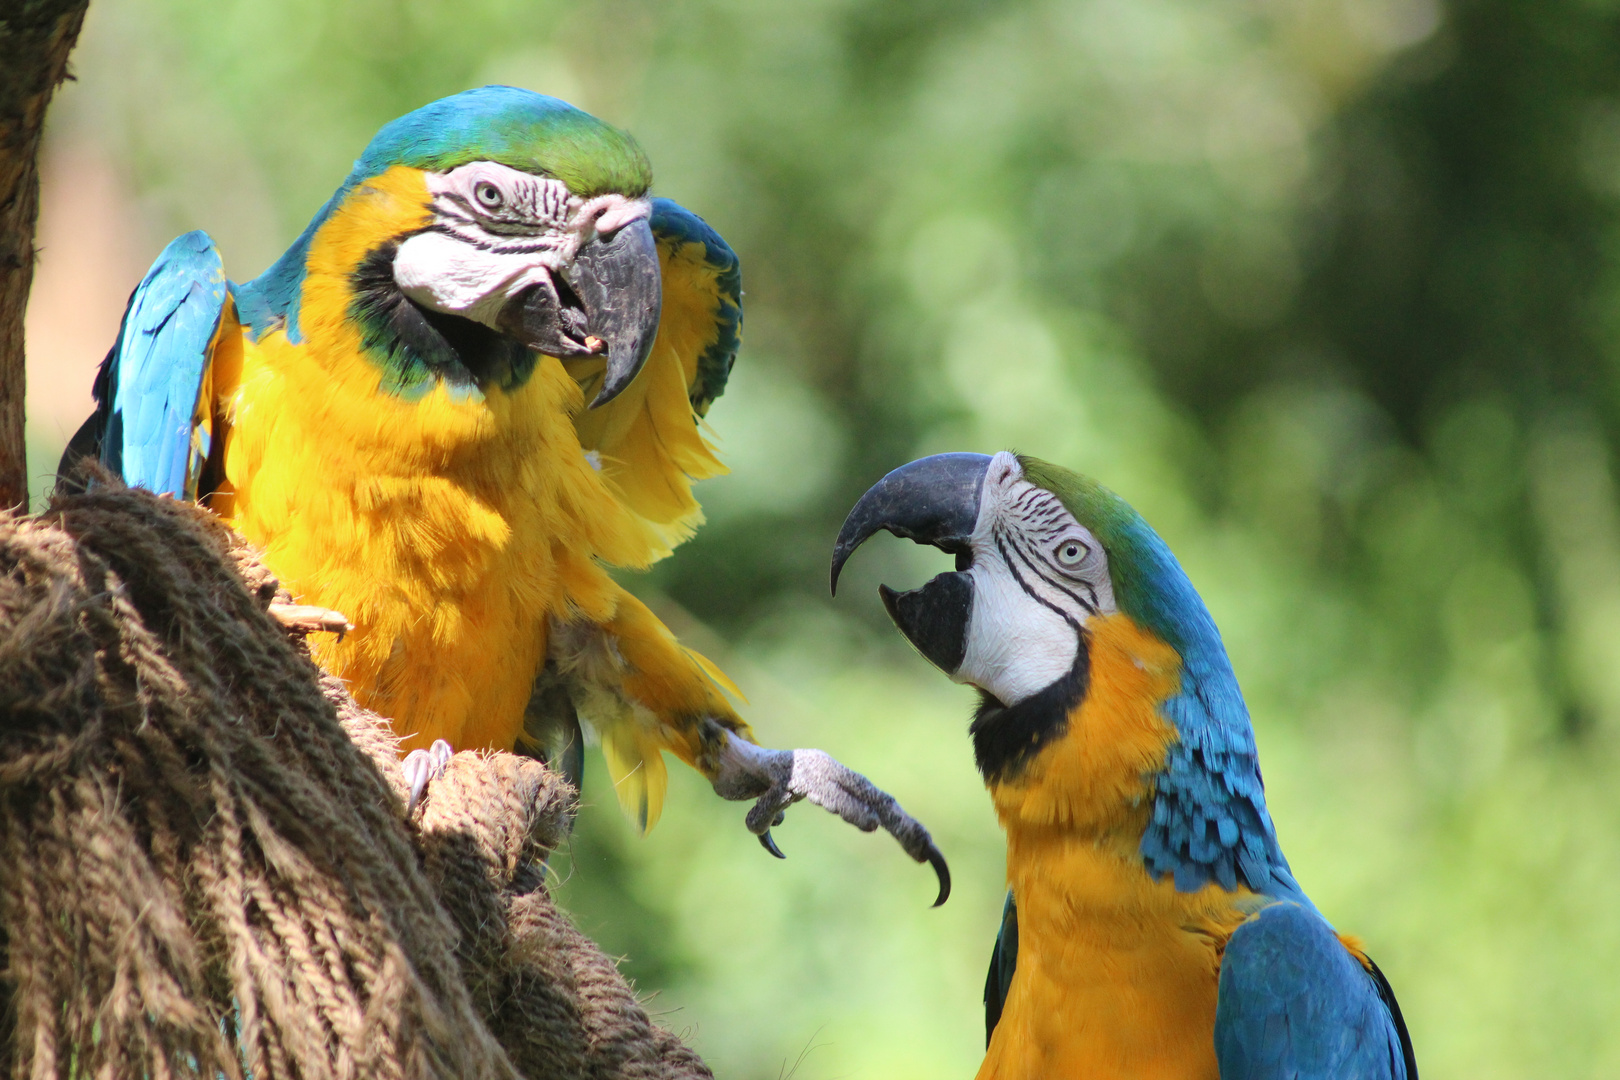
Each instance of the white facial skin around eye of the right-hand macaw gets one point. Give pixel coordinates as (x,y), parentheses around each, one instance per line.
(1039,576)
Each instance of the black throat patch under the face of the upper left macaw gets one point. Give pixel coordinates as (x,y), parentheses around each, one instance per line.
(417,347)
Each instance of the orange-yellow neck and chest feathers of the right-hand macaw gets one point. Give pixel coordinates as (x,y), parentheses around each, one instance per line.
(1117,972)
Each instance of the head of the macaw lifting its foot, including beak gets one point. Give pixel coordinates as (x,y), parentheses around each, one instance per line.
(529,229)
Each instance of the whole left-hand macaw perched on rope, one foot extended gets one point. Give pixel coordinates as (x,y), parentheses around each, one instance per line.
(396,415)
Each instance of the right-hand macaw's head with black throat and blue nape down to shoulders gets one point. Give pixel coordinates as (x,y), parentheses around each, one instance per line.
(1047,564)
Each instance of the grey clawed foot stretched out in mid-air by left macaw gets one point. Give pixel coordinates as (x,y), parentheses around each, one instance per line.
(777,780)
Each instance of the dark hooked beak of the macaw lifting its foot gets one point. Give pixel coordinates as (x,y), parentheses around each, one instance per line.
(607,302)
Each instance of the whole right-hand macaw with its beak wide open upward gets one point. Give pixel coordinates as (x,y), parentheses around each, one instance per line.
(1153,929)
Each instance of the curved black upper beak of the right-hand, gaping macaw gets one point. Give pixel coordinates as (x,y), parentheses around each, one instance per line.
(931,501)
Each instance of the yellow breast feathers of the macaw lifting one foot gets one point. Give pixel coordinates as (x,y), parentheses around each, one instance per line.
(448,527)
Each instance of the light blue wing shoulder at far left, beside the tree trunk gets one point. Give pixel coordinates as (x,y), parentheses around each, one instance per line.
(156,368)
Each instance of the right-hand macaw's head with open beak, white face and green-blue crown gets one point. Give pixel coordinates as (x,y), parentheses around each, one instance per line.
(1041,553)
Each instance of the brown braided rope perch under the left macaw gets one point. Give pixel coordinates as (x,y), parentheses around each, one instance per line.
(205,862)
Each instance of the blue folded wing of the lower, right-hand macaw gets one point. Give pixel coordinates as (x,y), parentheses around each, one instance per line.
(1295,1005)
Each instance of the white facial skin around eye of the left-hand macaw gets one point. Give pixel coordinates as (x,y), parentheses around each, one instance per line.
(497,232)
